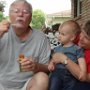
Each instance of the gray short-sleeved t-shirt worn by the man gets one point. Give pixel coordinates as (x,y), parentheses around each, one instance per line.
(11,47)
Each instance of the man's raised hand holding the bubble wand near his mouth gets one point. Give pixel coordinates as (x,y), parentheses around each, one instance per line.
(4,26)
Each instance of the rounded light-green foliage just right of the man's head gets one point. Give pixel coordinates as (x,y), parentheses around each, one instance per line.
(38,19)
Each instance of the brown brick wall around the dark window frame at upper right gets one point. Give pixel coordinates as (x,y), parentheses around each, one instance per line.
(85,11)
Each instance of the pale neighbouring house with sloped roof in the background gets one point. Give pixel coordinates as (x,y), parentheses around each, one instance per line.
(58,17)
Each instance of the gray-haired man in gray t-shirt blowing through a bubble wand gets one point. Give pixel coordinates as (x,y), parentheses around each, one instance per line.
(18,40)
